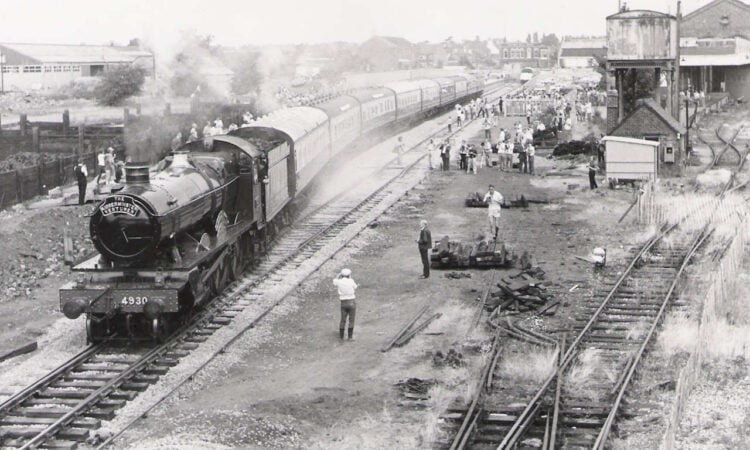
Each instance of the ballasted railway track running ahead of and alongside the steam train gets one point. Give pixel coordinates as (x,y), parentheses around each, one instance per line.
(62,409)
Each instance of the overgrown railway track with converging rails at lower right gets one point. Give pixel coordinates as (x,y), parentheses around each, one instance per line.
(568,410)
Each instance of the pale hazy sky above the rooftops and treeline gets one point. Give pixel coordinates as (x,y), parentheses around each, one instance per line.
(239,22)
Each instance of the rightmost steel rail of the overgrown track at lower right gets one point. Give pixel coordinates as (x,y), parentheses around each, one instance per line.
(604,433)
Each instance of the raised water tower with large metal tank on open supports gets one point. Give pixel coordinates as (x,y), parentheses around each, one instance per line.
(642,39)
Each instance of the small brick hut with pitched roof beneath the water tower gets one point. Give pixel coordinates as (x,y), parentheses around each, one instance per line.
(651,122)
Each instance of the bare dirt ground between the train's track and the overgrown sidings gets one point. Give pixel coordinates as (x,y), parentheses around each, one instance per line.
(294,384)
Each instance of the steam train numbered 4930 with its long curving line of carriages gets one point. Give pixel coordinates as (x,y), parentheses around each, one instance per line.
(176,234)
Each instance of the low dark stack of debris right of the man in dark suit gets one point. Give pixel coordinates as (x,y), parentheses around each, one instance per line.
(447,254)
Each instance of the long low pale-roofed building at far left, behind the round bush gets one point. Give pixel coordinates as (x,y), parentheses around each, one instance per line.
(27,67)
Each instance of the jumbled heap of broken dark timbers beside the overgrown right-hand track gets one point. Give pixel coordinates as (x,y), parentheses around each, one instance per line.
(522,292)
